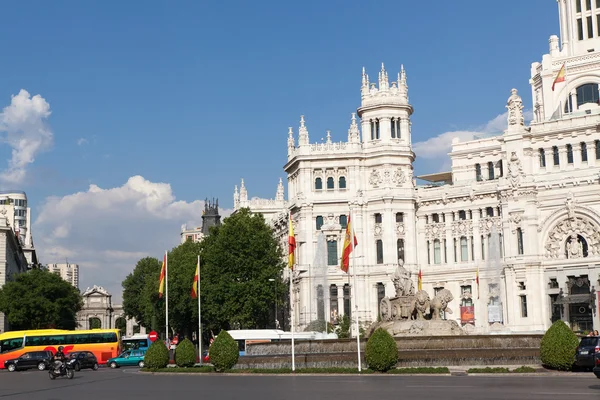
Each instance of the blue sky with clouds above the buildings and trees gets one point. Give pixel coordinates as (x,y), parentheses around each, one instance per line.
(197,95)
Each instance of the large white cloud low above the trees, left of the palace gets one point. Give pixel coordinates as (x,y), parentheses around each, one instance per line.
(106,231)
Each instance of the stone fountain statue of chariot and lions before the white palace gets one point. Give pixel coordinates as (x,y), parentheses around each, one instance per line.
(411,313)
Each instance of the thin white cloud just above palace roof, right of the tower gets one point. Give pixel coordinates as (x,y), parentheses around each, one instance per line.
(439,146)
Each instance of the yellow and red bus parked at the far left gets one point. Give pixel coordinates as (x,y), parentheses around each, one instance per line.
(104,343)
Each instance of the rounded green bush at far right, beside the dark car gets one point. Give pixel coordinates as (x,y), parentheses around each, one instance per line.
(557,349)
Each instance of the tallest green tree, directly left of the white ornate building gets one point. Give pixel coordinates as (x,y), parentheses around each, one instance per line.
(238,259)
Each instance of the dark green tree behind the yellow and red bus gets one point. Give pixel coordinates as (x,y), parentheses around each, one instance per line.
(40,299)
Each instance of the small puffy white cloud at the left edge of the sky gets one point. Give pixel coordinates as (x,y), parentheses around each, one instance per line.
(24,129)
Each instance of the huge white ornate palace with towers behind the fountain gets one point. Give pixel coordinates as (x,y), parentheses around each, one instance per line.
(521,210)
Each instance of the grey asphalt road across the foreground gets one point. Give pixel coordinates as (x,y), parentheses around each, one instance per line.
(107,384)
